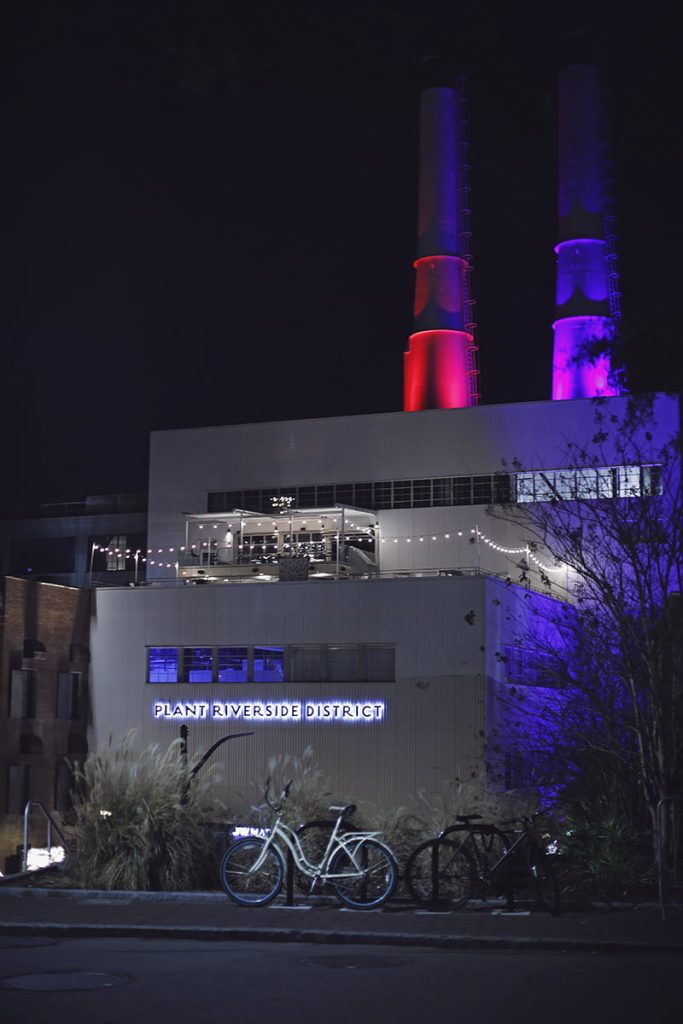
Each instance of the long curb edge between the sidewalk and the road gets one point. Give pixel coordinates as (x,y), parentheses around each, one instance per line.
(329,937)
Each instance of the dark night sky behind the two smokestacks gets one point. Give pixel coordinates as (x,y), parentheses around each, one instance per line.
(210,211)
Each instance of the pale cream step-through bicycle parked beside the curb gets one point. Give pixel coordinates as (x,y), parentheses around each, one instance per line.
(361,871)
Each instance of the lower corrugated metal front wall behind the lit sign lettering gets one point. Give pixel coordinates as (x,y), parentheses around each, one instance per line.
(436,710)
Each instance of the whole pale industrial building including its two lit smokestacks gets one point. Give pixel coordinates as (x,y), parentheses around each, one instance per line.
(339,584)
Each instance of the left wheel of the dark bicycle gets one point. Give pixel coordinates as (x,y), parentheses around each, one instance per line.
(440,872)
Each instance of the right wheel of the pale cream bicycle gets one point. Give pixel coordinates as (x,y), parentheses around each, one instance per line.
(369,881)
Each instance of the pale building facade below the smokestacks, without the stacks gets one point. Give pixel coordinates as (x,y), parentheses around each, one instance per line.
(386,656)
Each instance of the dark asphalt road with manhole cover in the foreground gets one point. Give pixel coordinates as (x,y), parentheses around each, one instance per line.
(122,982)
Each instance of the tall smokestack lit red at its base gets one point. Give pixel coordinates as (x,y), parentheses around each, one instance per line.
(440,368)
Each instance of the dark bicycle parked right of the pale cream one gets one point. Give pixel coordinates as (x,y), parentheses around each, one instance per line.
(448,871)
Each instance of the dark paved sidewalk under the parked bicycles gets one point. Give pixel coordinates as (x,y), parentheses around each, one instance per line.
(59,914)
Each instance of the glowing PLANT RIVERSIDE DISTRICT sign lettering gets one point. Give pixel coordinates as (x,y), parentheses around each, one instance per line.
(272,711)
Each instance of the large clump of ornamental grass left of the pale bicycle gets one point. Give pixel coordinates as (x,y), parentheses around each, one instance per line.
(140,824)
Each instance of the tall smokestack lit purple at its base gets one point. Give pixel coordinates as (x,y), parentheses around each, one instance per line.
(587,302)
